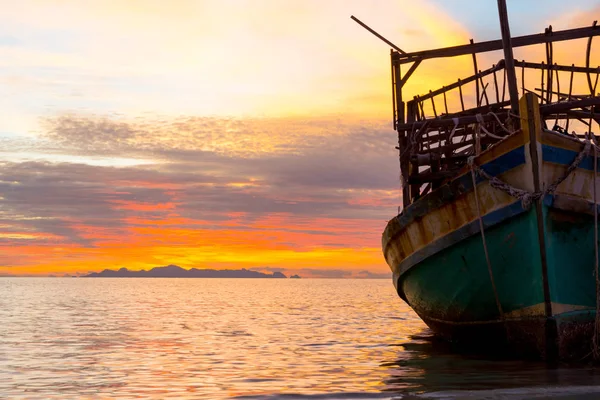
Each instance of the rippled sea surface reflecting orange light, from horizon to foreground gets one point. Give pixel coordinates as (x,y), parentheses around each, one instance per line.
(243,338)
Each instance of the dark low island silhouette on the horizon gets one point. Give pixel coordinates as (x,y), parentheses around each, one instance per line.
(175,271)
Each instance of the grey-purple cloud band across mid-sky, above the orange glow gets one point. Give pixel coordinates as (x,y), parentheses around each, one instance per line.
(204,168)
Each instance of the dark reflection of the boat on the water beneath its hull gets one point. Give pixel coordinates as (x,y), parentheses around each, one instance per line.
(429,365)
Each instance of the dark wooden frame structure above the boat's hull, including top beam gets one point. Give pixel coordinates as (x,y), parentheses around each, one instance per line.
(435,141)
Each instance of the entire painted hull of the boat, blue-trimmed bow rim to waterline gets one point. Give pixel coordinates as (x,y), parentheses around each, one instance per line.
(542,301)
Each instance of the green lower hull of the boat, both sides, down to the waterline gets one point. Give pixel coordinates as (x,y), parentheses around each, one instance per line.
(452,291)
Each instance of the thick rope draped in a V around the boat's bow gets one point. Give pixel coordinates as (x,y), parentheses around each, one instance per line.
(526,197)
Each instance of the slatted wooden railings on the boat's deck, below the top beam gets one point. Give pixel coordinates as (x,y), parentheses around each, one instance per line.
(437,137)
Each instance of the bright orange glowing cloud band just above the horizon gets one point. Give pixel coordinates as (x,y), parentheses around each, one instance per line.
(265,243)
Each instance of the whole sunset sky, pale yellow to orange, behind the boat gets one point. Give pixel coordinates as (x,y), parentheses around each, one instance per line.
(218,134)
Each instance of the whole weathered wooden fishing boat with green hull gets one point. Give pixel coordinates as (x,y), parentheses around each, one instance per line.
(497,241)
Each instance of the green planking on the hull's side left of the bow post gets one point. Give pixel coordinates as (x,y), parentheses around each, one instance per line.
(454,284)
